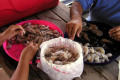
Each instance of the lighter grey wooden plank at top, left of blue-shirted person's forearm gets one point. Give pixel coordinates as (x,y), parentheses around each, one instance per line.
(62,11)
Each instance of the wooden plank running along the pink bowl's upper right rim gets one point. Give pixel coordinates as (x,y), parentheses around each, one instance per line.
(51,17)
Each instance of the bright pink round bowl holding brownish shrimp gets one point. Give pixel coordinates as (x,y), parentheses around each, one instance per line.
(16,49)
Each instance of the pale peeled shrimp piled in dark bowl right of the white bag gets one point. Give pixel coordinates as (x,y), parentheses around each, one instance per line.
(95,54)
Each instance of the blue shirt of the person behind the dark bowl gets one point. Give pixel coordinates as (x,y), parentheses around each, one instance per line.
(106,11)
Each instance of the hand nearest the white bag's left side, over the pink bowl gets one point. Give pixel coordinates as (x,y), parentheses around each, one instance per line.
(29,52)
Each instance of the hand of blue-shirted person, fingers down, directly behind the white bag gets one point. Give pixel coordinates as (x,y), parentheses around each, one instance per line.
(74,27)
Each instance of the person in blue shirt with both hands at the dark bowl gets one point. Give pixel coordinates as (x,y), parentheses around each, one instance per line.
(105,11)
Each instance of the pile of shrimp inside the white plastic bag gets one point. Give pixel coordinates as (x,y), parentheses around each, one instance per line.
(61,55)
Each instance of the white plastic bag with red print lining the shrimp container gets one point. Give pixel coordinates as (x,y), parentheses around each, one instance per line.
(61,72)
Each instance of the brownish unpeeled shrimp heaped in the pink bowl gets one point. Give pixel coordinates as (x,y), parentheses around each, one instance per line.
(33,33)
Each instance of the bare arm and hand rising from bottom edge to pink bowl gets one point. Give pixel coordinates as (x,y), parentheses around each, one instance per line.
(22,70)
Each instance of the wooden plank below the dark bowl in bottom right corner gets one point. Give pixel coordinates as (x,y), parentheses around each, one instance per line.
(109,71)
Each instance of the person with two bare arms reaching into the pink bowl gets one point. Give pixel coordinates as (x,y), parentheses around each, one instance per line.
(27,54)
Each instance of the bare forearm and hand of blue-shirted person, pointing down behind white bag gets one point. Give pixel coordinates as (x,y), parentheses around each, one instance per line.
(75,25)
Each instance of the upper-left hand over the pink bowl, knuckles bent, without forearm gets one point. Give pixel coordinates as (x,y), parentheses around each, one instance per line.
(13,30)
